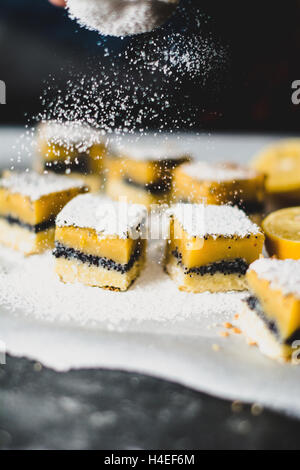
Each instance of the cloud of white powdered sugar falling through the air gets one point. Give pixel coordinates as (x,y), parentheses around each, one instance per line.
(144,86)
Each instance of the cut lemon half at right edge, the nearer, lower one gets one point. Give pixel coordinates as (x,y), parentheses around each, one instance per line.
(282,230)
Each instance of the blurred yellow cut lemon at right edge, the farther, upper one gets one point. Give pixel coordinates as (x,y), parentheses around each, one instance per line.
(281,163)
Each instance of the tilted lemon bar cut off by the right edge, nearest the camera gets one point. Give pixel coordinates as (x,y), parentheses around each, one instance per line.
(271,313)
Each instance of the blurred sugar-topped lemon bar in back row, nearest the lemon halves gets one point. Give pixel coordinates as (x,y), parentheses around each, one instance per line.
(219,184)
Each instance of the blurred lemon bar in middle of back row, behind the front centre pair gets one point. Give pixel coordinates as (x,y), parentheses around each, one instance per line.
(142,171)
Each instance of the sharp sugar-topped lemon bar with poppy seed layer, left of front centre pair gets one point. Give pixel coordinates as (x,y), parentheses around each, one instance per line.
(100,243)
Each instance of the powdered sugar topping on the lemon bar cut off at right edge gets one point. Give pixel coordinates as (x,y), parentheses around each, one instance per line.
(282,274)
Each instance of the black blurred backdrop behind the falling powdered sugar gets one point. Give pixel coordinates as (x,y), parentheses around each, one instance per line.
(251,91)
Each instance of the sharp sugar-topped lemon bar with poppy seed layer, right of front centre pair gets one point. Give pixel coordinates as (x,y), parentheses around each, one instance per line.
(210,247)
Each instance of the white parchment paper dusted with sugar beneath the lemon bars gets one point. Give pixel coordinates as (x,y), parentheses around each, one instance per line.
(162,332)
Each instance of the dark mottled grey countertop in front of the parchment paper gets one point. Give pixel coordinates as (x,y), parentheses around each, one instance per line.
(102,409)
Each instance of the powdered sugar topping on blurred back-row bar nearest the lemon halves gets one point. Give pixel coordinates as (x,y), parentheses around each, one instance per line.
(204,171)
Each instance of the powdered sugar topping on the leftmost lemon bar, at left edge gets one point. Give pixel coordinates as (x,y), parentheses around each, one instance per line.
(35,186)
